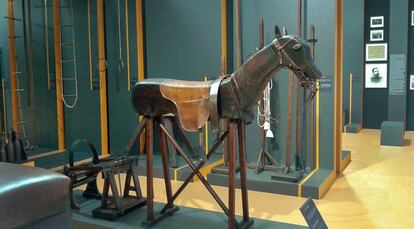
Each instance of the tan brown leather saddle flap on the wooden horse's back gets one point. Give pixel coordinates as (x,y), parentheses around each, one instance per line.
(192,100)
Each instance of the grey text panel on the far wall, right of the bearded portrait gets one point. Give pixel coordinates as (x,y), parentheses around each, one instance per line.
(398,74)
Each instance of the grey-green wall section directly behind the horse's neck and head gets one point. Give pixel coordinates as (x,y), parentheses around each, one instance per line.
(283,14)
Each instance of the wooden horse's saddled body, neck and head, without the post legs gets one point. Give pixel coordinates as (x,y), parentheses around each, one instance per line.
(237,95)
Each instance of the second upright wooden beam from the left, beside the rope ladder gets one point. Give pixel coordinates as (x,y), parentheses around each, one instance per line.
(58,75)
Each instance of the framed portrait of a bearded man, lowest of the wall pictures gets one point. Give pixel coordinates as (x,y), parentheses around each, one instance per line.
(376,76)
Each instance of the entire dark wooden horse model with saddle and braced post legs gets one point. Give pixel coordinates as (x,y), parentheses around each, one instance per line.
(230,97)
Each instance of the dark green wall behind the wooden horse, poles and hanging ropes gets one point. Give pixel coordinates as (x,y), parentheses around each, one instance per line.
(183,41)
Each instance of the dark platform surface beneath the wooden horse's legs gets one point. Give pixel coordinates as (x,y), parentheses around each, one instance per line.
(184,218)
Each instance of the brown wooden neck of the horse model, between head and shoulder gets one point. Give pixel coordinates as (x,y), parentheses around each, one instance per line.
(252,77)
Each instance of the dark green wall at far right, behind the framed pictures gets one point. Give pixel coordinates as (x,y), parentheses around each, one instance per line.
(382,104)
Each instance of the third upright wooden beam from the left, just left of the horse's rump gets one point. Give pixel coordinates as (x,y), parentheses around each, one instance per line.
(102,65)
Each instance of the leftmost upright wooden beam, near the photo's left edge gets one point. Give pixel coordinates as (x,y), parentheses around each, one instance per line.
(13,69)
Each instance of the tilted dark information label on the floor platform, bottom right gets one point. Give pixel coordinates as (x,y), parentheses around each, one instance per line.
(312,215)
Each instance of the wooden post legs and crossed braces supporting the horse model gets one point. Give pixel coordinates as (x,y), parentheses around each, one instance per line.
(169,209)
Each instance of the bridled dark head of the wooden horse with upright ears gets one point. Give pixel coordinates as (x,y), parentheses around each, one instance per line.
(295,54)
